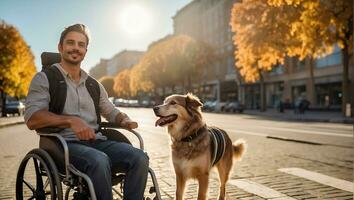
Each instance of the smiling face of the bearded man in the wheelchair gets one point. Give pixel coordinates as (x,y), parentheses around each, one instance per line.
(74,48)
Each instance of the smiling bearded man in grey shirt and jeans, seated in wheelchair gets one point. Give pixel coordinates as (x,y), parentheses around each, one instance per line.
(90,152)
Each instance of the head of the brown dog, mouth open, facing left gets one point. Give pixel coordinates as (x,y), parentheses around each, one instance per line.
(179,110)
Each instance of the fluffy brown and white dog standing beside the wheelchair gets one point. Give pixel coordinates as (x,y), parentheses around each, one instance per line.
(192,146)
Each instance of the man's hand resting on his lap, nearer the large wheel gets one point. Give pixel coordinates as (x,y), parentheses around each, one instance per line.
(82,130)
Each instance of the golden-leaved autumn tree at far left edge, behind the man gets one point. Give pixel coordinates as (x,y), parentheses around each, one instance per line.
(16,62)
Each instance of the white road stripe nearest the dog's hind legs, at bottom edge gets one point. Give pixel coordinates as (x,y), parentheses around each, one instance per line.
(259,190)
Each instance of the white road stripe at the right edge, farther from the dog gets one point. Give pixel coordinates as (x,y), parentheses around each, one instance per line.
(320,178)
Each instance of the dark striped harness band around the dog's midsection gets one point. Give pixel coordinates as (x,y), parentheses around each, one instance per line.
(218,144)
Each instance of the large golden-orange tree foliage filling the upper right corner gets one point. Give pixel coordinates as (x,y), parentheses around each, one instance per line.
(268,30)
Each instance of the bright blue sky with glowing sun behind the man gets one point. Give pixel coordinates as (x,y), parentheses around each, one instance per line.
(115,25)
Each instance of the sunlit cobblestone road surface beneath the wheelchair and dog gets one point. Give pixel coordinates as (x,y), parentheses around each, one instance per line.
(261,163)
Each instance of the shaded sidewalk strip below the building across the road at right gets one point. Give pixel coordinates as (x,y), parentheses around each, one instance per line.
(308,116)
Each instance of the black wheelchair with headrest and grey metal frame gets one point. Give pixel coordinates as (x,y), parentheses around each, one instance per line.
(53,172)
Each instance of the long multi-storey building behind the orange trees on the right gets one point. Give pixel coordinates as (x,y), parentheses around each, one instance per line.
(208,20)
